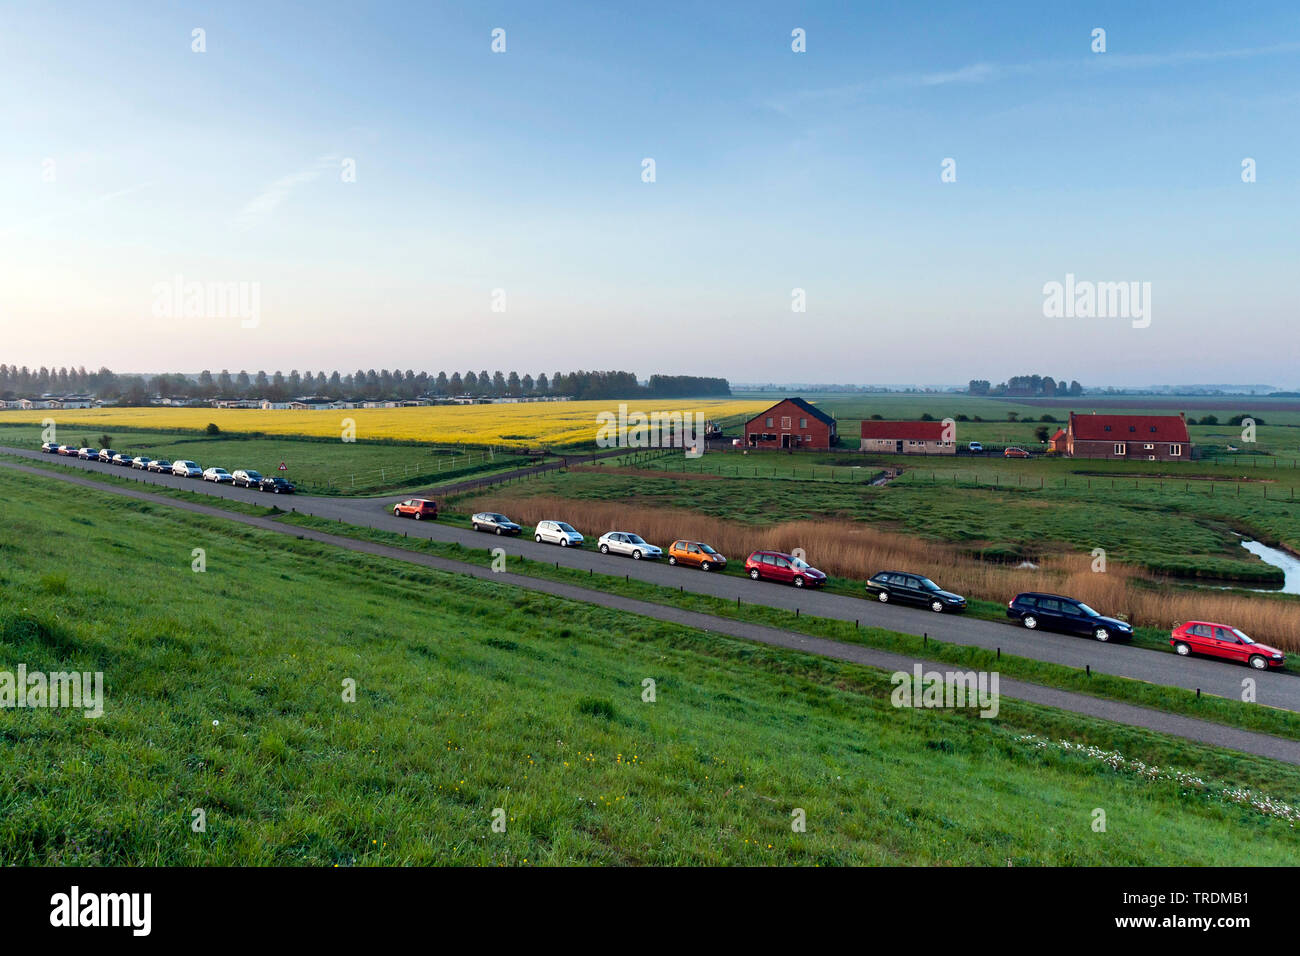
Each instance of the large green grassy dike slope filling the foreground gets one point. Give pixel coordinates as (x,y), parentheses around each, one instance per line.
(224,693)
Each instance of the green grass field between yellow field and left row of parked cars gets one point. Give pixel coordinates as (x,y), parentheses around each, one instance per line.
(317,466)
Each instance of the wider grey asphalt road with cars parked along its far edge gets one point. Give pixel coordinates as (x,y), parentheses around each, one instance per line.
(1210,677)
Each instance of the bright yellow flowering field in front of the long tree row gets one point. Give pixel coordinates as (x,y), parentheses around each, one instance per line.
(519,425)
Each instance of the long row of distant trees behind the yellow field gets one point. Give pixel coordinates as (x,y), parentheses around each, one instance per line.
(384,384)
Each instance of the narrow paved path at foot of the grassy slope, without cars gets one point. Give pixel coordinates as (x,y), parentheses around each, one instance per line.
(1188,728)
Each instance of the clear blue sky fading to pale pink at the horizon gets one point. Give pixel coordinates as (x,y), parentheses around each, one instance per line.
(391,193)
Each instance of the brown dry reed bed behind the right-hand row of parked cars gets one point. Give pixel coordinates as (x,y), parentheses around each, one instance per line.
(857,551)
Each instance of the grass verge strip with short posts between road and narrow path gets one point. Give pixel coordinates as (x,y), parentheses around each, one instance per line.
(1169,699)
